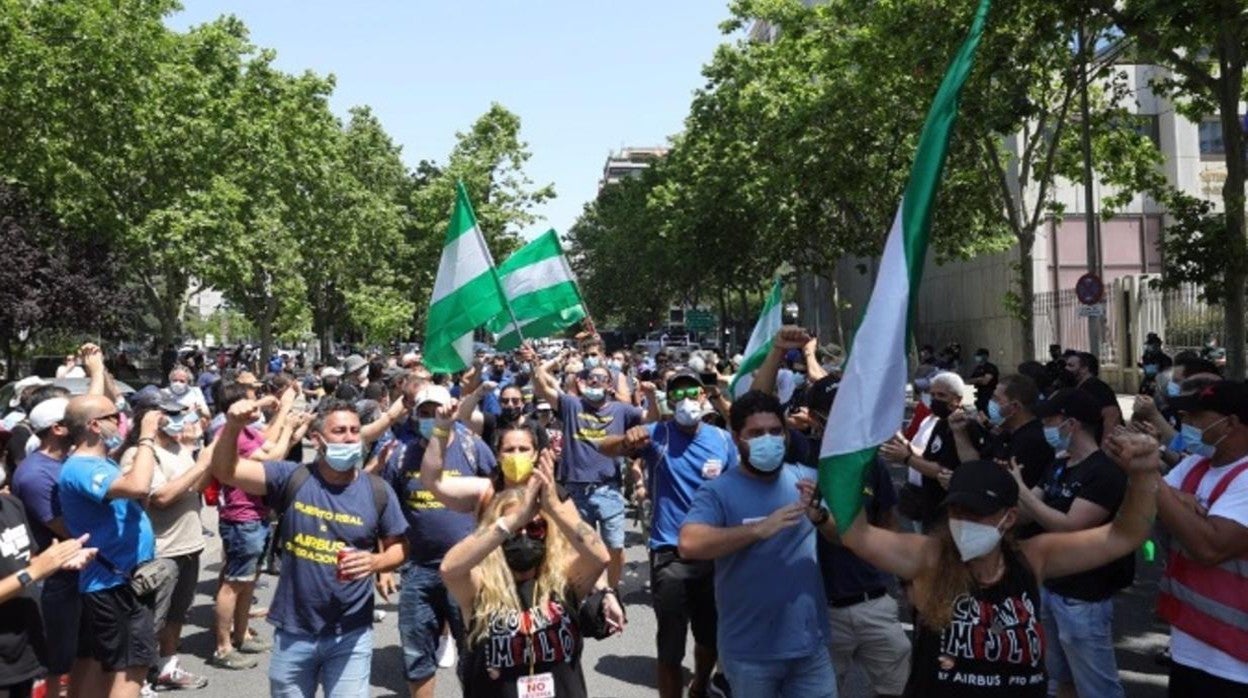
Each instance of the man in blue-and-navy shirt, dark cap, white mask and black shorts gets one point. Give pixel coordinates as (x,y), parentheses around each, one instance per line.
(681,456)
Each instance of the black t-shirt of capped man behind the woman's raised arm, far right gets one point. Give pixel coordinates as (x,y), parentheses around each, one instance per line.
(1104,484)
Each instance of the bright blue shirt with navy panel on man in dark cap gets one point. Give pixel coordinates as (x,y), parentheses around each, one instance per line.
(678,465)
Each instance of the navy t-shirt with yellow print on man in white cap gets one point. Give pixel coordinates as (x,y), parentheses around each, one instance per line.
(432,528)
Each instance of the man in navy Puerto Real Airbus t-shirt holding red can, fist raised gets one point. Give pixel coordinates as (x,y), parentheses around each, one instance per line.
(334,518)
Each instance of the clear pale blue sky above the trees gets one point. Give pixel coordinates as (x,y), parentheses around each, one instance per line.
(586,77)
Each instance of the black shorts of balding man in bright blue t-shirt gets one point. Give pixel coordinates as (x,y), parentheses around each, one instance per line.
(119,631)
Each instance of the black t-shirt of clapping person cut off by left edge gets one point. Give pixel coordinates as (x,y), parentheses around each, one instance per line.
(23,652)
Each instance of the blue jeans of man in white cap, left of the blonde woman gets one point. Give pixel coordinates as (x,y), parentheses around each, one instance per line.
(424,606)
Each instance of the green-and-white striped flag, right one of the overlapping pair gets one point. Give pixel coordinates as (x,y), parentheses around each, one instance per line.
(542,292)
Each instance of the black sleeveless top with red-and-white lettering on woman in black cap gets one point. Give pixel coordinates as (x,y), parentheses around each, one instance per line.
(994,646)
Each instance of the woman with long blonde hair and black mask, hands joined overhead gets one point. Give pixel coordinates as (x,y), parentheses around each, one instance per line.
(524,581)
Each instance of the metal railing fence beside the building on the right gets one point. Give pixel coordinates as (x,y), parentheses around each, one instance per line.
(1134,309)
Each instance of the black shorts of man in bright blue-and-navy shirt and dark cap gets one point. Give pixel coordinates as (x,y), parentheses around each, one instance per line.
(683,594)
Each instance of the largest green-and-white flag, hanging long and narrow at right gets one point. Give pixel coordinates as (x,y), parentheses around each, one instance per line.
(869,404)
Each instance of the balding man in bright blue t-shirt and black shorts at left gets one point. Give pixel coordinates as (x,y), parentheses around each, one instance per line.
(119,631)
